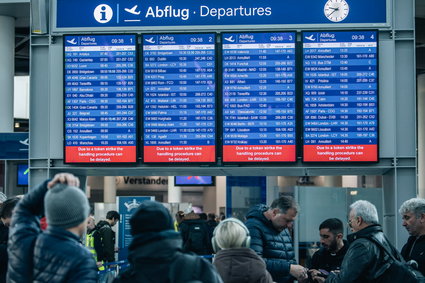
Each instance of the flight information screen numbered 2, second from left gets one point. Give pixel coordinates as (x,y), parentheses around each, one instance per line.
(179,98)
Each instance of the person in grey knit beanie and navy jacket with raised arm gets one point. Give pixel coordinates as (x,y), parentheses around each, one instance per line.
(55,255)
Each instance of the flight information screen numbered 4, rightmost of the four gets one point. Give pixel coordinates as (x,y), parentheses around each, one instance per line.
(340,96)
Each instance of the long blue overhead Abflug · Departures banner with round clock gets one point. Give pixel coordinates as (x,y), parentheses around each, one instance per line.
(160,13)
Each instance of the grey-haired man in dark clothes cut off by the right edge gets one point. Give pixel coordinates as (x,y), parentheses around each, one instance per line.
(413,214)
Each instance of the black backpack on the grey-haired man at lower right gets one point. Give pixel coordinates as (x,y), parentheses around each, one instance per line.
(396,269)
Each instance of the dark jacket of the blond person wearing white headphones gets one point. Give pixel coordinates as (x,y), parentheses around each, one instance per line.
(241,265)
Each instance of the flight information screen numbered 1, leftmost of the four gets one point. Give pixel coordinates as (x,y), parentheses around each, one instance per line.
(100,98)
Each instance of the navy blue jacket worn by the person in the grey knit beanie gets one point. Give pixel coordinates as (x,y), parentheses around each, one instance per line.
(52,256)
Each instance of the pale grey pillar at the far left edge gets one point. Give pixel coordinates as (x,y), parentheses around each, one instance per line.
(7,72)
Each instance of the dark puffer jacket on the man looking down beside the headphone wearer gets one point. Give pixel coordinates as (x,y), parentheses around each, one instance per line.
(273,246)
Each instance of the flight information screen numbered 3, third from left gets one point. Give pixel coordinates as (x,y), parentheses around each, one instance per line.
(259,97)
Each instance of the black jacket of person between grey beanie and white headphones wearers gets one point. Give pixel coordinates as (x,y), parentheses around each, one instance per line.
(157,257)
